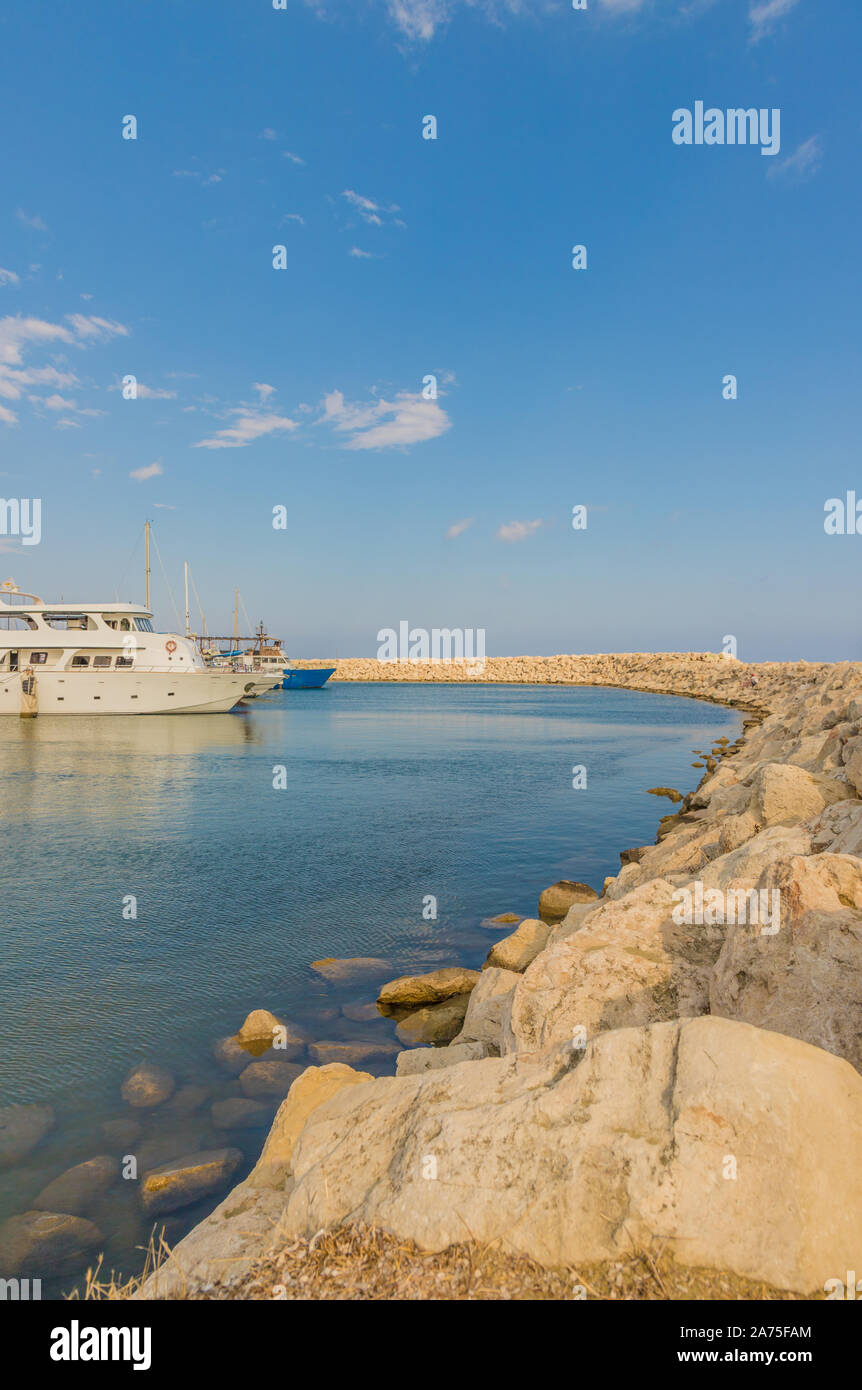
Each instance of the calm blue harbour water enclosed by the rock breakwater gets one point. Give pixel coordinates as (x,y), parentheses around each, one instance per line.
(393,793)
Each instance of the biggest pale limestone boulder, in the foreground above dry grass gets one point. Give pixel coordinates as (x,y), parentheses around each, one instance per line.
(572,1163)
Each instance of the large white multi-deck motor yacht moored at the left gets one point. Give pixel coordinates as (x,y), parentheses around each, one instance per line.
(102,660)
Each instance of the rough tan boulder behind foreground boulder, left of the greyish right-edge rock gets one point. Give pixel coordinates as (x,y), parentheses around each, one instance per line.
(629,965)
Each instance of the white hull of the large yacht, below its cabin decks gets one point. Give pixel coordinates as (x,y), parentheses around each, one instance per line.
(127,693)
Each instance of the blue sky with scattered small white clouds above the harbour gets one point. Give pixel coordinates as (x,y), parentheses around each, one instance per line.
(405,258)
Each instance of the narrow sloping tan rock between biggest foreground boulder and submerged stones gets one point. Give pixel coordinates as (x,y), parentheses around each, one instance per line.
(225,1248)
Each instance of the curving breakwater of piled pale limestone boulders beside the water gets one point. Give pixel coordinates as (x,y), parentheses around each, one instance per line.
(674,1065)
